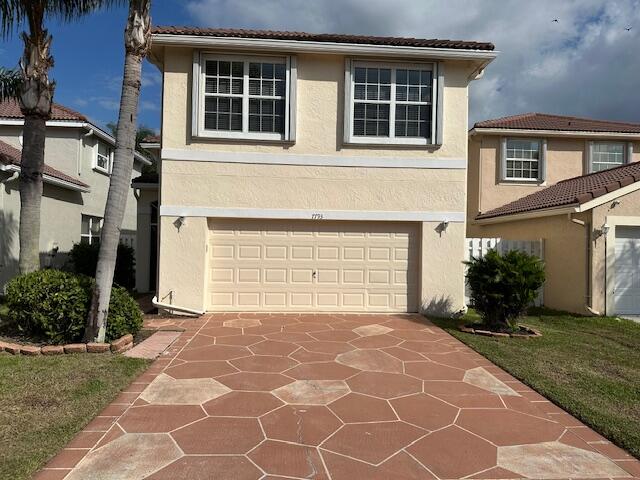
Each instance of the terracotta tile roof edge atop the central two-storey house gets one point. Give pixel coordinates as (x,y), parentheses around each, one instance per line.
(323,37)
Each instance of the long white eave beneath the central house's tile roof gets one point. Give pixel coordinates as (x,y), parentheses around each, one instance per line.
(302,46)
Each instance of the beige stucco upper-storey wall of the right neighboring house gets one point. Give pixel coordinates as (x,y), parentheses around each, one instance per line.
(565,159)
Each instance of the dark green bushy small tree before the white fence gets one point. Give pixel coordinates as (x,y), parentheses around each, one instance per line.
(502,287)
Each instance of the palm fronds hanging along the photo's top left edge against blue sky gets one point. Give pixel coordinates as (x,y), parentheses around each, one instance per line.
(14,13)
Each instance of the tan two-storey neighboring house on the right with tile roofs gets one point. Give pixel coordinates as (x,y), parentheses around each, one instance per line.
(570,182)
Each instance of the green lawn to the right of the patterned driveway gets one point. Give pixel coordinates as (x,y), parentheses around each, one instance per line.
(590,366)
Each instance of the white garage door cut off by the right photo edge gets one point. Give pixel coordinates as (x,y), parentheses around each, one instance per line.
(627,271)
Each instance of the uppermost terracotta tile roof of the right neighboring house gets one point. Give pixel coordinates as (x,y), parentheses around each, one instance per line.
(545,121)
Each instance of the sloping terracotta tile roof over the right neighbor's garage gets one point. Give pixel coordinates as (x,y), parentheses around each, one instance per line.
(573,191)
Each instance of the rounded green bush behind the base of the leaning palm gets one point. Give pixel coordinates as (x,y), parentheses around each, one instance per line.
(53,305)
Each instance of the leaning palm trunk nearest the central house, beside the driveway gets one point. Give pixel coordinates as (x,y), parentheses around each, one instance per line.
(137,40)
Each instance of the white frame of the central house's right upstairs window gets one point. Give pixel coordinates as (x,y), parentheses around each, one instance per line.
(435,135)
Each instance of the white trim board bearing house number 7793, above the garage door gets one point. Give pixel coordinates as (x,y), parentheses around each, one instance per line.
(319,214)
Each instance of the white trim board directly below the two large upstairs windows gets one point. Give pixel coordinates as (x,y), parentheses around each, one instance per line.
(312,160)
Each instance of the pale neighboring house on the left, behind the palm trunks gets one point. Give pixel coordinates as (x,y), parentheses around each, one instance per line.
(78,161)
